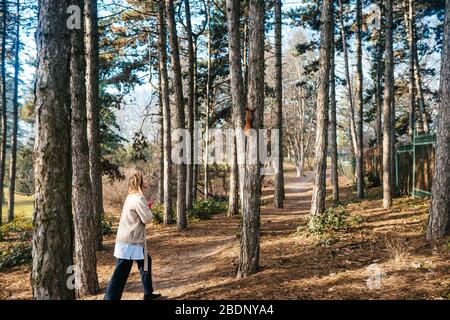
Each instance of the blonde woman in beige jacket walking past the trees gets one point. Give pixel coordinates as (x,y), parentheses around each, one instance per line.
(131,242)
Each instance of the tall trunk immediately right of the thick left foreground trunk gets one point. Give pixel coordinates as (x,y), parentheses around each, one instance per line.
(84,217)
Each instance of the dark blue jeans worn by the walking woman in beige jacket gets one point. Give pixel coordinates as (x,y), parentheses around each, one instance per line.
(120,277)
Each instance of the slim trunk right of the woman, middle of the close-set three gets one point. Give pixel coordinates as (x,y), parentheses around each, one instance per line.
(179,103)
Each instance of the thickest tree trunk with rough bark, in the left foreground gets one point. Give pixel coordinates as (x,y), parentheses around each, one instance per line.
(52,216)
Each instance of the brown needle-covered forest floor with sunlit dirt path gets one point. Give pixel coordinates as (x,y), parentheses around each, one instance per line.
(383,256)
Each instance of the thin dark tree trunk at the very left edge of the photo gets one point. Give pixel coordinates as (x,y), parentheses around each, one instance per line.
(3,121)
